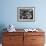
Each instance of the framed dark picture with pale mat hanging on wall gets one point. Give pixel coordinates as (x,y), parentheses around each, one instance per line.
(26,14)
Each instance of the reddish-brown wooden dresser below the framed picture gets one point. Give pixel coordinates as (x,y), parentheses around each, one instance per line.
(23,39)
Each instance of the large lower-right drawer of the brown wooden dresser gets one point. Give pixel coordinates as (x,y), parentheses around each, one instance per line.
(33,40)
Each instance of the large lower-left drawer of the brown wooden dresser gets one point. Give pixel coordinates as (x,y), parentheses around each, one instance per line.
(10,39)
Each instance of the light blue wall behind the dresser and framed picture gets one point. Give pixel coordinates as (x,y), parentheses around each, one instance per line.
(8,13)
